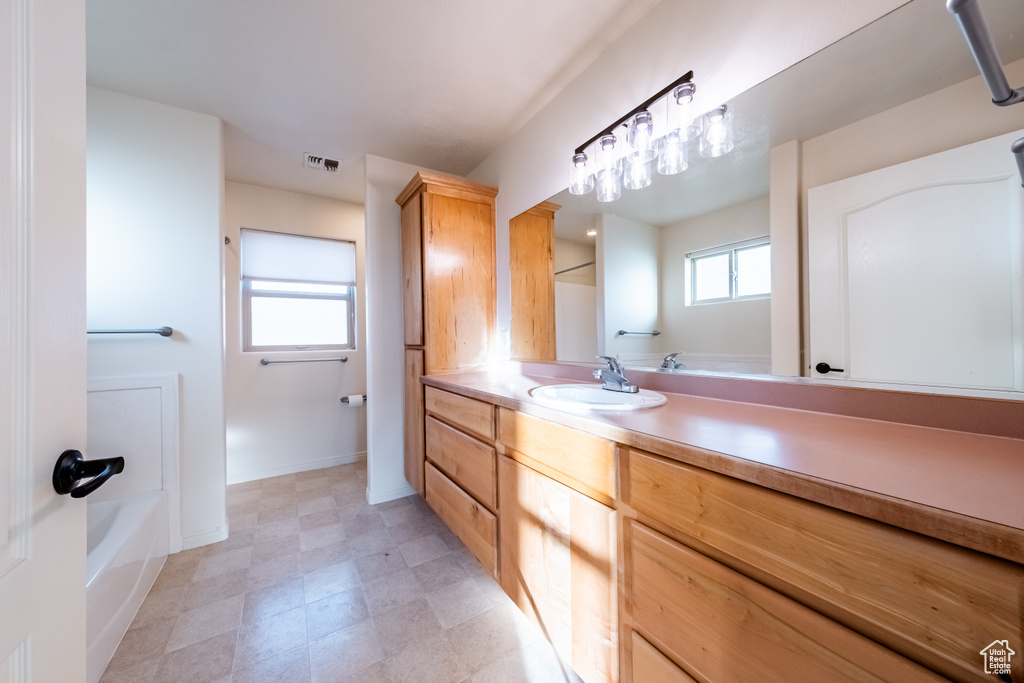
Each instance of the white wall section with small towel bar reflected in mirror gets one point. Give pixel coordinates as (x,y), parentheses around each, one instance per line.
(627,288)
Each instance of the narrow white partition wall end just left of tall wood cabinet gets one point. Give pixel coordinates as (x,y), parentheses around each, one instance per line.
(386,358)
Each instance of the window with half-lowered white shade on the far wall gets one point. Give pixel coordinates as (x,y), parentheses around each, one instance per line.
(297,293)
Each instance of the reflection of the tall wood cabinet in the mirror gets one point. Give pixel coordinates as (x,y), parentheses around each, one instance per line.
(532,265)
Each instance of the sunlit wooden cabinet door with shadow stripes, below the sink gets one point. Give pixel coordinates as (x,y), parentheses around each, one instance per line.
(559,566)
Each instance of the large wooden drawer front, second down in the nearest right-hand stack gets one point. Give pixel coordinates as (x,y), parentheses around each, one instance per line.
(726,627)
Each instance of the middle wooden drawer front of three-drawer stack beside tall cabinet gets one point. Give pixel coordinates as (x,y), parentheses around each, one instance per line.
(470,462)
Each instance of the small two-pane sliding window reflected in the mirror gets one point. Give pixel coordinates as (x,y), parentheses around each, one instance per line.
(740,271)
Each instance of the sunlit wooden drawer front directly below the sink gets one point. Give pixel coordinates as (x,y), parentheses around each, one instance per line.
(589,460)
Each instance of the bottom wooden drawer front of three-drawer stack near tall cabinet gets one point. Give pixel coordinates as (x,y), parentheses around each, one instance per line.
(468,520)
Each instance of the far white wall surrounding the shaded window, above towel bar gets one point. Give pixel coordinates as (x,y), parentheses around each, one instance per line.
(289,417)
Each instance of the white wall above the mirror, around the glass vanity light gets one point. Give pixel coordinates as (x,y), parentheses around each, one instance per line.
(731,46)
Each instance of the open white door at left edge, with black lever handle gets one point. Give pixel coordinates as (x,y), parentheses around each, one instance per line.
(42,337)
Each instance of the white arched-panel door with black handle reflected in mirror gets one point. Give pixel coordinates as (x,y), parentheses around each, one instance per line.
(916,272)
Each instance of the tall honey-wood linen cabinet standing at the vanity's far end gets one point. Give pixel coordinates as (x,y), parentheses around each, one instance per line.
(448,255)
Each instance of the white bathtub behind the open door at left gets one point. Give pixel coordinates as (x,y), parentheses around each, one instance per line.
(127,546)
